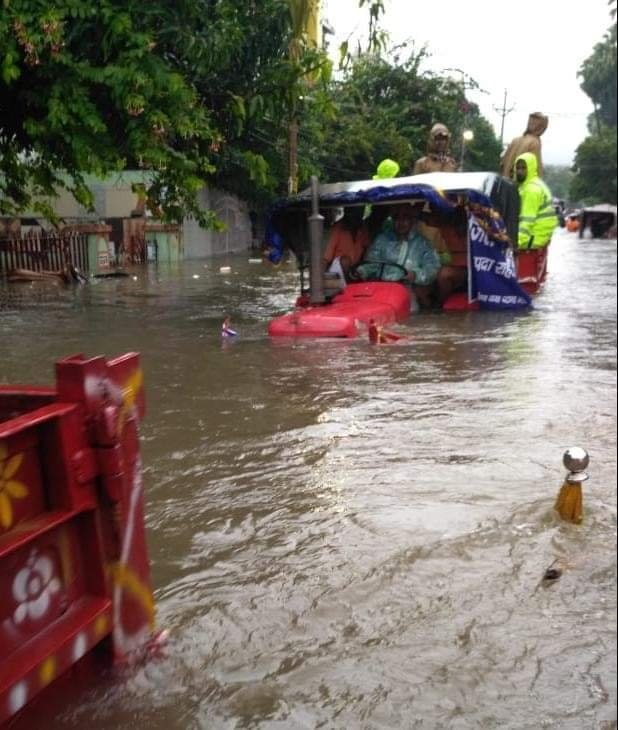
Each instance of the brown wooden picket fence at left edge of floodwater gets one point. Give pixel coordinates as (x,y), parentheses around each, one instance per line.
(44,252)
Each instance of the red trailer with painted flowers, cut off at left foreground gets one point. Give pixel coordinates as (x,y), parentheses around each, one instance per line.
(74,568)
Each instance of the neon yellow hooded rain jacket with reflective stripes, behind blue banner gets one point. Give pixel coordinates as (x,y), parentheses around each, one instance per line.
(537,216)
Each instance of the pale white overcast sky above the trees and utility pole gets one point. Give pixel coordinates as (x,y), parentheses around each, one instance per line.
(531,48)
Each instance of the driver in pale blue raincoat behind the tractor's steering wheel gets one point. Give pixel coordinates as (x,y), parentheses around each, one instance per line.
(403,254)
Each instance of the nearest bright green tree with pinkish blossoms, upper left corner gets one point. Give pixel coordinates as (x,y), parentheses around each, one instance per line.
(85,88)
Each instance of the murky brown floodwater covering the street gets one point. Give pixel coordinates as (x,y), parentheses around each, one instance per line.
(349,536)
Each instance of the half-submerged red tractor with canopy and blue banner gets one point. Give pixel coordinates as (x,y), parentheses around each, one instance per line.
(475,212)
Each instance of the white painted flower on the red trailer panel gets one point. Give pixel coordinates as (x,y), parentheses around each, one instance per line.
(33,588)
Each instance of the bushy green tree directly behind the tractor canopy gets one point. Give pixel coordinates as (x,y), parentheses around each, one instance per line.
(384,109)
